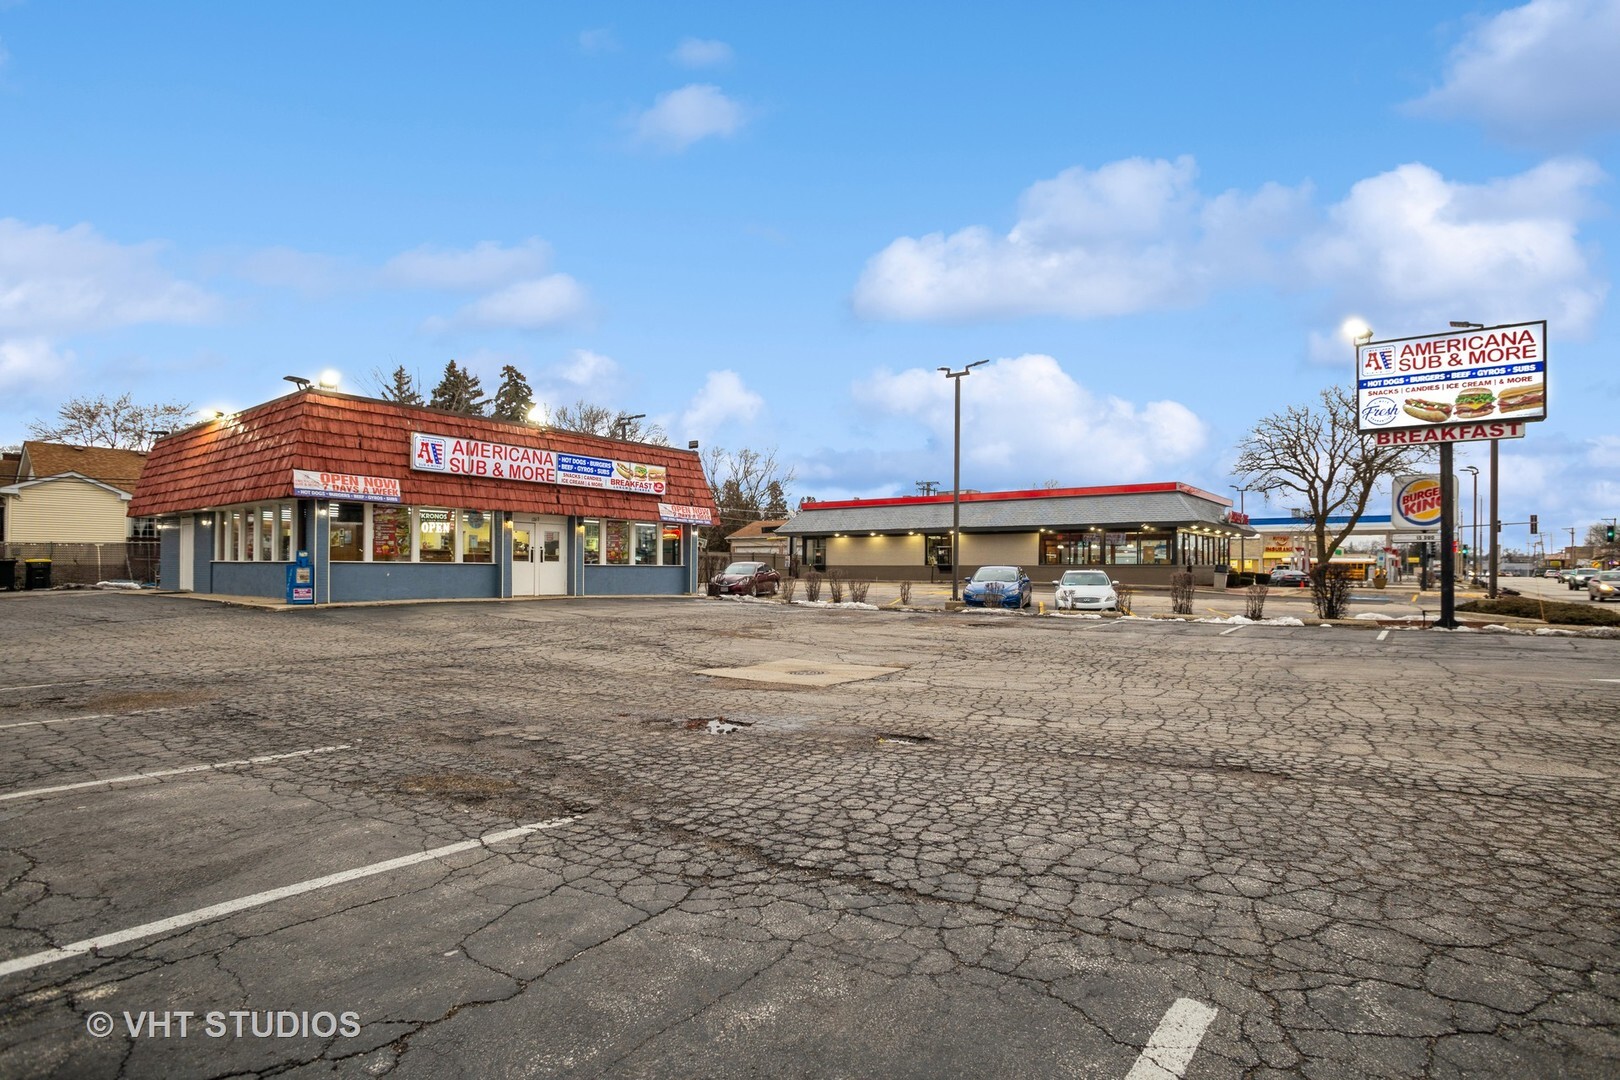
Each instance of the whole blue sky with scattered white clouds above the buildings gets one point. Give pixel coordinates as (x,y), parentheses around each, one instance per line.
(769,227)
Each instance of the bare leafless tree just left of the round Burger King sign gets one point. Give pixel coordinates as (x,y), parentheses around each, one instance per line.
(1316,454)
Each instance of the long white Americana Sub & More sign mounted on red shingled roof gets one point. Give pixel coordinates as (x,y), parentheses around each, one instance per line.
(535,466)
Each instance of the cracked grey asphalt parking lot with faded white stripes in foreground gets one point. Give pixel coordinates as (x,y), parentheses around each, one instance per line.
(741,840)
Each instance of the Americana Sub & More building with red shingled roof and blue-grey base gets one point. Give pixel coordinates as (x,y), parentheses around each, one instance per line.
(354,500)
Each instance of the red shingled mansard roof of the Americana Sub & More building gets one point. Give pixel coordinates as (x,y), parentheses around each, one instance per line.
(254,454)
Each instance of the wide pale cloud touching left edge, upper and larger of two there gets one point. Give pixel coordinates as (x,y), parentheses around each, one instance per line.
(67,281)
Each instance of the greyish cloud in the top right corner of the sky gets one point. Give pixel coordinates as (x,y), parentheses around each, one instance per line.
(1541,74)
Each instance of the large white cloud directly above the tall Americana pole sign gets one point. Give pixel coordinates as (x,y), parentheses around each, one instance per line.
(1410,249)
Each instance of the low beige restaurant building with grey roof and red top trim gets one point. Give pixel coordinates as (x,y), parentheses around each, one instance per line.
(1141,534)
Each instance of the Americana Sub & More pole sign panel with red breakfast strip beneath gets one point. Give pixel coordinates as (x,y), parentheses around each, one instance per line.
(1486,385)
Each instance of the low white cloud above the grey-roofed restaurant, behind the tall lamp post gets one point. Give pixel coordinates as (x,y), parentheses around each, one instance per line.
(1026,420)
